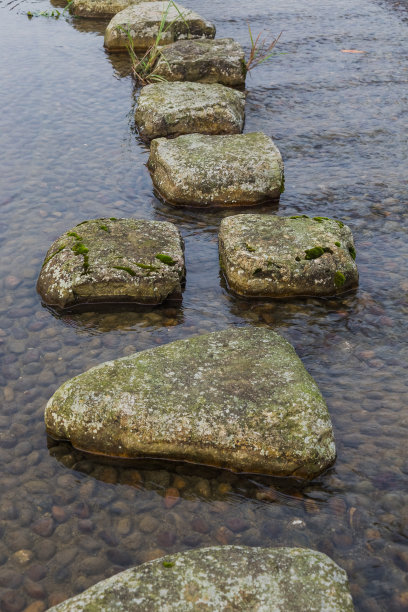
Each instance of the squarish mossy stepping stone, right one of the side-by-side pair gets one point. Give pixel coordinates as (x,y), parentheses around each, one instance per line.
(269,256)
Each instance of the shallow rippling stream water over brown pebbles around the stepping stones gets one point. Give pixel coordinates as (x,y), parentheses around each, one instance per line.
(69,152)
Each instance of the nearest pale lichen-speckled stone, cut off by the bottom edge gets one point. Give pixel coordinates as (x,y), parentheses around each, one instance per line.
(223,578)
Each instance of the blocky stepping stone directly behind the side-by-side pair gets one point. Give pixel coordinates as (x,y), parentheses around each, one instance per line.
(209,171)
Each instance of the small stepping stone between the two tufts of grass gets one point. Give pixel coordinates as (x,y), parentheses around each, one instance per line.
(208,61)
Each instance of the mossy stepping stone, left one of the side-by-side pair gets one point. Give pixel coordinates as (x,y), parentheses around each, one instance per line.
(113,260)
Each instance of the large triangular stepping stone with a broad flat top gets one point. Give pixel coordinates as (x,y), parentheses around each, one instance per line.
(239,399)
